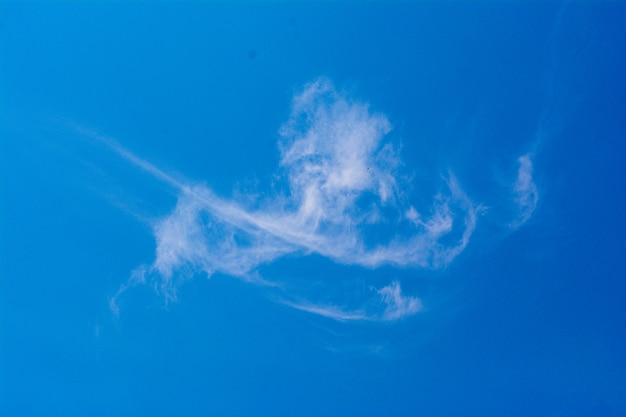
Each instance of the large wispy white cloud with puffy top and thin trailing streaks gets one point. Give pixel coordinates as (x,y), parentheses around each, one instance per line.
(342,188)
